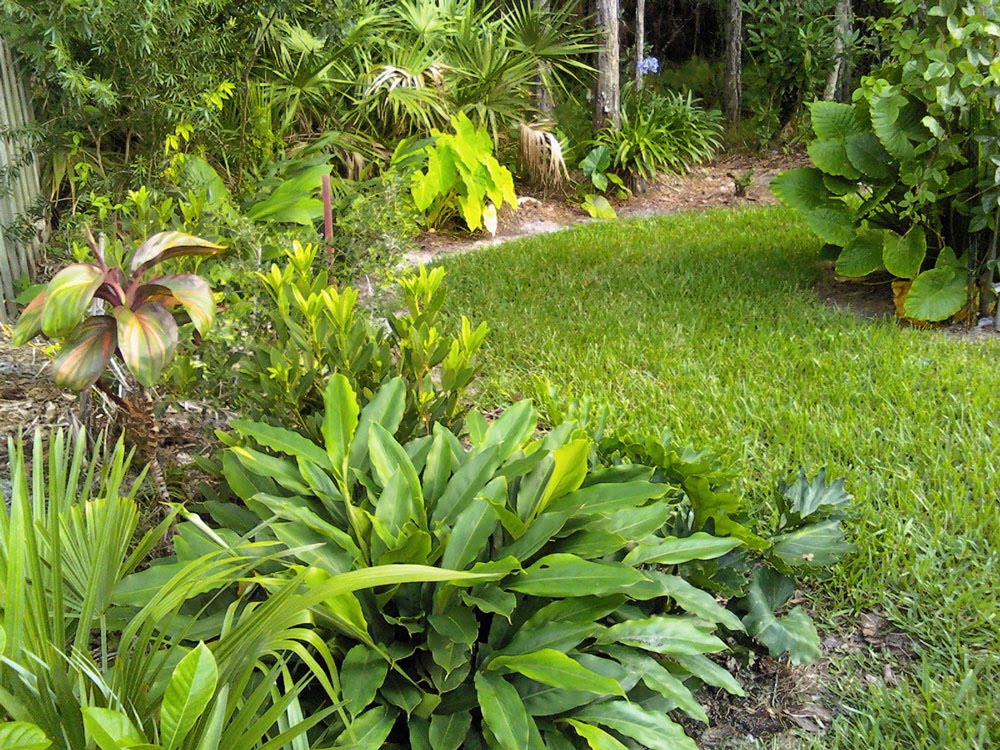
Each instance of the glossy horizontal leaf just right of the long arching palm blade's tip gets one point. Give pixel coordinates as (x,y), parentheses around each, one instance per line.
(564,575)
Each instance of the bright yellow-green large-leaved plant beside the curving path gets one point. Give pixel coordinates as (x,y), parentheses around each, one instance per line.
(462,177)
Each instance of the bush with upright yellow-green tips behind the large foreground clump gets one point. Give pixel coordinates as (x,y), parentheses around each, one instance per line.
(318,330)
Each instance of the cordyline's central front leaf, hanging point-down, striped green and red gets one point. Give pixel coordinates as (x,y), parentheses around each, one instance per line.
(147,338)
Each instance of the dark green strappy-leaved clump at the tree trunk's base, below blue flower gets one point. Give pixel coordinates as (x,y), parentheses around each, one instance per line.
(661,132)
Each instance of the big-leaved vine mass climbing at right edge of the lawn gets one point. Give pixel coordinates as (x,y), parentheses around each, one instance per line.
(905,179)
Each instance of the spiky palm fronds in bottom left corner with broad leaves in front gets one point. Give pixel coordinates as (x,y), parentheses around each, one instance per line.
(92,659)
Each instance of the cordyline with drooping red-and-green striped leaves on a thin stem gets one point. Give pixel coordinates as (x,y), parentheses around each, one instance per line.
(140,327)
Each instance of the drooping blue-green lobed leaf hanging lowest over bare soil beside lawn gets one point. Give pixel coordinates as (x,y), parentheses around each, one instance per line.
(793,633)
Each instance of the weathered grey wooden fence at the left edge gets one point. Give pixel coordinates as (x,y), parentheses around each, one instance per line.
(20,237)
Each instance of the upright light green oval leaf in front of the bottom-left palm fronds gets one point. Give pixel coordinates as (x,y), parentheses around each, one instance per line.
(189,691)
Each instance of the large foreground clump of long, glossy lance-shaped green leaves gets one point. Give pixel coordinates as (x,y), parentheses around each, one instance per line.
(592,629)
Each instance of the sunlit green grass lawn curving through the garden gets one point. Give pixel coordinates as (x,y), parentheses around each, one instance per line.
(708,324)
